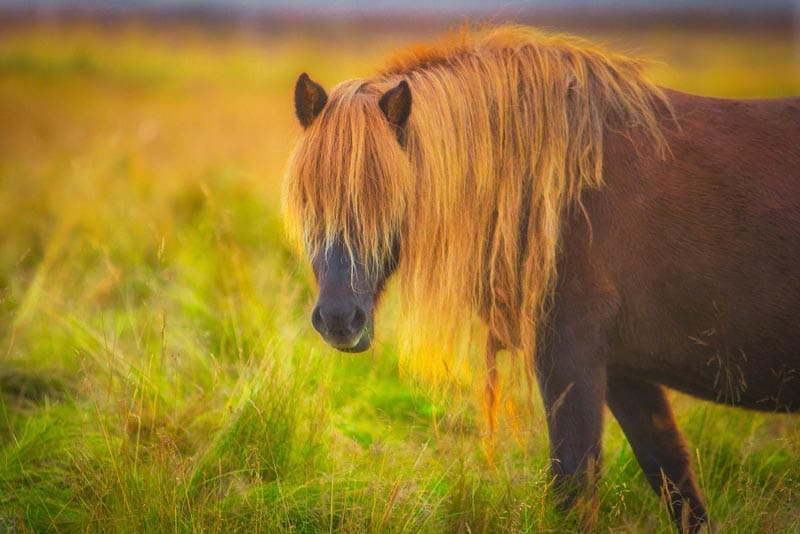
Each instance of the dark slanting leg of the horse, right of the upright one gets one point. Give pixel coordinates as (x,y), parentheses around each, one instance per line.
(645,416)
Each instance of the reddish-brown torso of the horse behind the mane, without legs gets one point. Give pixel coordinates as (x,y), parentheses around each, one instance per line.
(703,248)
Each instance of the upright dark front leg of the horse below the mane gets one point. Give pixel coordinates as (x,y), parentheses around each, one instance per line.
(571,373)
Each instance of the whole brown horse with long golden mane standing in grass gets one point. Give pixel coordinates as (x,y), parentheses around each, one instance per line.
(623,237)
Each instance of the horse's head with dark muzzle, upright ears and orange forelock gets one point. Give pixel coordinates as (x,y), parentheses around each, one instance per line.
(345,191)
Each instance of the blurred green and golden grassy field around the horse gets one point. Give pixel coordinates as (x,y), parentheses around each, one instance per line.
(157,366)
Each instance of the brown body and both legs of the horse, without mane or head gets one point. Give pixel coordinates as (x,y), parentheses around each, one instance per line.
(689,277)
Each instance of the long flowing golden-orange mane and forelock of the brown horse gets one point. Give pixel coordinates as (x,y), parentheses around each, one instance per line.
(506,131)
